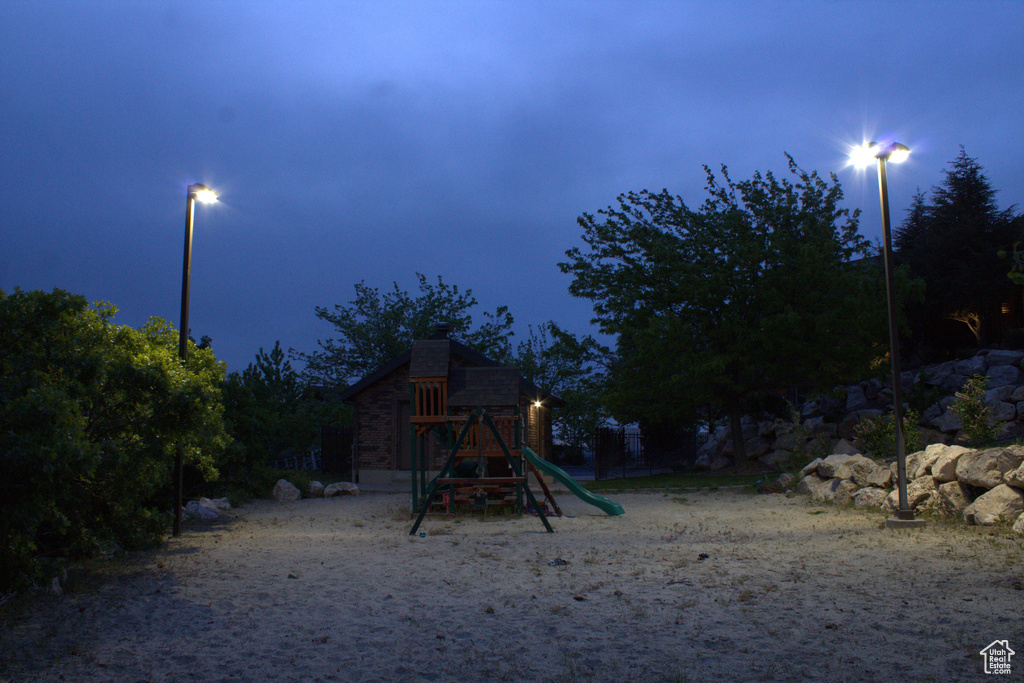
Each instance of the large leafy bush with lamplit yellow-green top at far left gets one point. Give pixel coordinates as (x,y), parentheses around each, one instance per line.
(92,415)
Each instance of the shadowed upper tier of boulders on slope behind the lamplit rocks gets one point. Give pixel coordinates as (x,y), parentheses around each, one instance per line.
(824,421)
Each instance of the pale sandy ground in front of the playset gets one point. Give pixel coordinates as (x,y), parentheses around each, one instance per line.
(693,587)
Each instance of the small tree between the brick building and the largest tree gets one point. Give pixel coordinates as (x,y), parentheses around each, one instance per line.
(564,365)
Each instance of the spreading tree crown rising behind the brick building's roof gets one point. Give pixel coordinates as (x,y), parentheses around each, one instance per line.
(375,328)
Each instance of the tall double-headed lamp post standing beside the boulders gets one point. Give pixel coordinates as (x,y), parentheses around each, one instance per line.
(863,157)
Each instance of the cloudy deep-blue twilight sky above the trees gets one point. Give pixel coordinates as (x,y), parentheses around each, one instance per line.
(370,141)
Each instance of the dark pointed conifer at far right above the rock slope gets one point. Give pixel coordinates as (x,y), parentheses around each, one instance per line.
(954,242)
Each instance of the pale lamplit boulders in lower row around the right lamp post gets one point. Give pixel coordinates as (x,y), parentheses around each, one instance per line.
(982,487)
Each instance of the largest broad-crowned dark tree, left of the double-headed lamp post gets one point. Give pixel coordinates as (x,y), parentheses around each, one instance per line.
(751,294)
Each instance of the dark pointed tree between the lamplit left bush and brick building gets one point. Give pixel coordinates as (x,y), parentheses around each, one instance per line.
(271,411)
